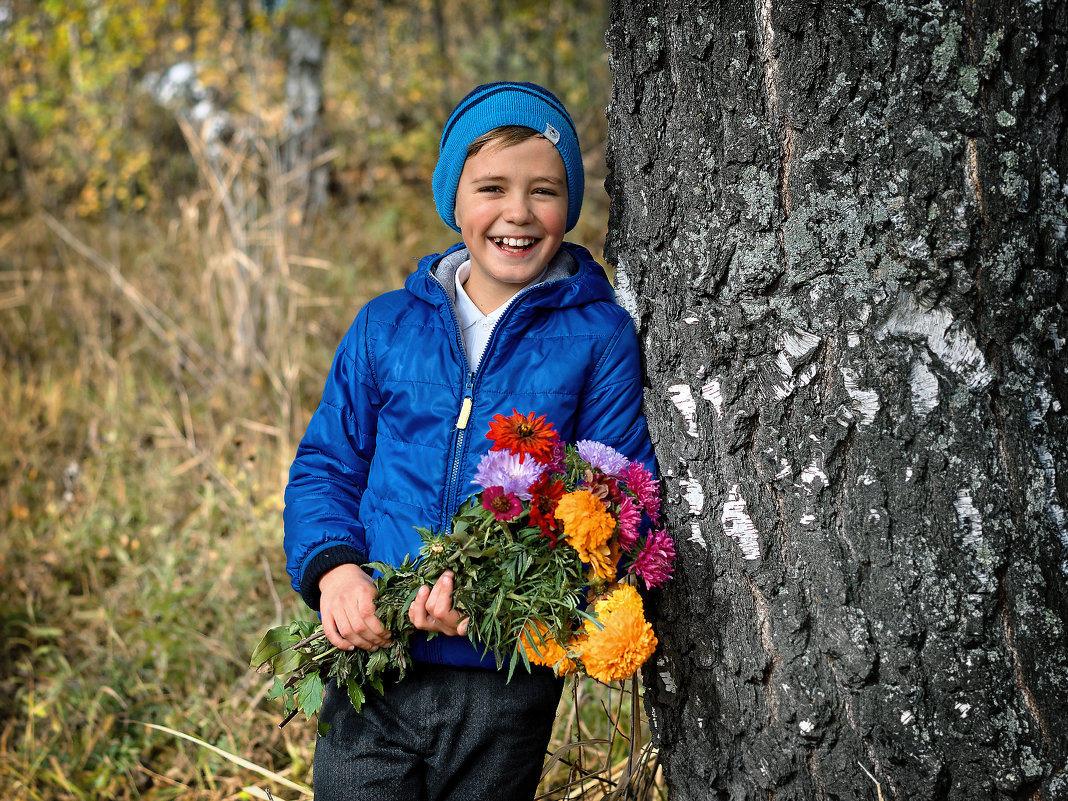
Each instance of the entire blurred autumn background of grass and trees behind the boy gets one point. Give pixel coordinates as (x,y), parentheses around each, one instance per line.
(196,199)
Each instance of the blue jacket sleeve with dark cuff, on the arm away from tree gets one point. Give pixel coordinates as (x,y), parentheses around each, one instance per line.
(329,474)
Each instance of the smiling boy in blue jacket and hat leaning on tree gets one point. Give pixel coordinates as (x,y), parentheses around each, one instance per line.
(512,319)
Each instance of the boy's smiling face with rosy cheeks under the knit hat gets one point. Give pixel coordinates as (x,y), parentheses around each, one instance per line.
(512,212)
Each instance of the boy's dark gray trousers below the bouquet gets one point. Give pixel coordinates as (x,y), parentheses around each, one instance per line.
(443,734)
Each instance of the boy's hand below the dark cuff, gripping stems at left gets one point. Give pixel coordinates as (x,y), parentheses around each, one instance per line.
(348,607)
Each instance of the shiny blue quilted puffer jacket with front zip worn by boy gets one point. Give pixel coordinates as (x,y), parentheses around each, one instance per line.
(383,453)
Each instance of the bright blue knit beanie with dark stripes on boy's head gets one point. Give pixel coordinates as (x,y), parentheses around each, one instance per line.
(492,106)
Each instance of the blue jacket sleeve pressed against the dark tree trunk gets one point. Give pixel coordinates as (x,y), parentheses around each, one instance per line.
(611,409)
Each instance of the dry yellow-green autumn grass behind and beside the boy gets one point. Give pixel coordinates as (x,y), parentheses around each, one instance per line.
(142,469)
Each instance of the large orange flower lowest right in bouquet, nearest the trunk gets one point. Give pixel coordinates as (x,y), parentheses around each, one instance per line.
(626,640)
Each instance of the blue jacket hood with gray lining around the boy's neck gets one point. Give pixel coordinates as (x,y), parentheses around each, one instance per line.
(573,279)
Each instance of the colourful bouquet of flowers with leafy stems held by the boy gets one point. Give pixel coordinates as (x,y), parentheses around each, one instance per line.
(553,526)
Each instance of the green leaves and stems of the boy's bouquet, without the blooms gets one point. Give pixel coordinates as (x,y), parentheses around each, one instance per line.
(502,596)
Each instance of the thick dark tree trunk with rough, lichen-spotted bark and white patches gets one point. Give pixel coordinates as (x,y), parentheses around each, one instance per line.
(841,231)
